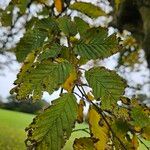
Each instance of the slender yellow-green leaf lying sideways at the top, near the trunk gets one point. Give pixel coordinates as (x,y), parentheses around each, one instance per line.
(88,9)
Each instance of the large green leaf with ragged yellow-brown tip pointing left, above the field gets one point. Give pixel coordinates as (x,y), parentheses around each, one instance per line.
(46,76)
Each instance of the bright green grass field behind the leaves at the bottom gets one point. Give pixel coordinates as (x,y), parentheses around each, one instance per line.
(12,134)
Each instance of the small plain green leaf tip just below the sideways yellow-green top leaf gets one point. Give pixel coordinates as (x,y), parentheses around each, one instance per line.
(81,25)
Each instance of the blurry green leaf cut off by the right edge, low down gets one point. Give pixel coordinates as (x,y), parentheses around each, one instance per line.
(139,118)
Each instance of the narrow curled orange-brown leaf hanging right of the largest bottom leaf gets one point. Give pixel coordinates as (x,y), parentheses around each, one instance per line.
(80,111)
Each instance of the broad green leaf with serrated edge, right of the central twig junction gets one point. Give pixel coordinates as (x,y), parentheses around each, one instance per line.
(106,85)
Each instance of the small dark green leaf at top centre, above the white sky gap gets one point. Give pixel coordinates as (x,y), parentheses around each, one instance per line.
(67,26)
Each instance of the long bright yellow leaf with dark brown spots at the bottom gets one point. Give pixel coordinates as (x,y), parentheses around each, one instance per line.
(99,129)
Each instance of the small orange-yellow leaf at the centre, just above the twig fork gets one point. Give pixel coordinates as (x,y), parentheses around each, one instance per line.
(69,83)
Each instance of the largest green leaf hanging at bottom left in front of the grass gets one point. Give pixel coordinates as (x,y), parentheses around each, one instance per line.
(51,129)
